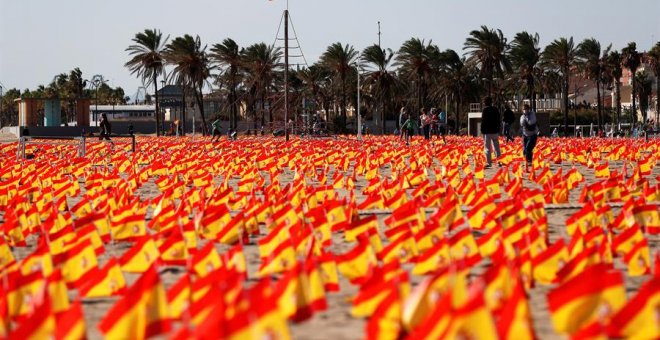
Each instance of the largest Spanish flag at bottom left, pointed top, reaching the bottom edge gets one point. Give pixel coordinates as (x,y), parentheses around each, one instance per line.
(142,313)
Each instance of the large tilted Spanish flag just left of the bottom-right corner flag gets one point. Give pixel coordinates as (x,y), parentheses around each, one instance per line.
(594,294)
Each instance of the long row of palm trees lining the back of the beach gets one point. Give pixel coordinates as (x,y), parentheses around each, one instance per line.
(417,75)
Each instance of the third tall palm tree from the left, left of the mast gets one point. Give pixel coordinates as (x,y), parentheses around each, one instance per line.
(228,56)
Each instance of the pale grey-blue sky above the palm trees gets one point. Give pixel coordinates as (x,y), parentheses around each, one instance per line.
(42,38)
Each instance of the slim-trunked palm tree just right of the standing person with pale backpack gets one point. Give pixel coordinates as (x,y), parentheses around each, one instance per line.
(559,55)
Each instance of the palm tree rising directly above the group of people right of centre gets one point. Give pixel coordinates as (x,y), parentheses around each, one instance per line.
(414,60)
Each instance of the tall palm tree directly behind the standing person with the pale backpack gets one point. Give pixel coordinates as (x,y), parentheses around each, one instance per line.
(525,55)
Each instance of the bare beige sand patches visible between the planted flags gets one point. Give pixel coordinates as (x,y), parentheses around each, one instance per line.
(336,322)
